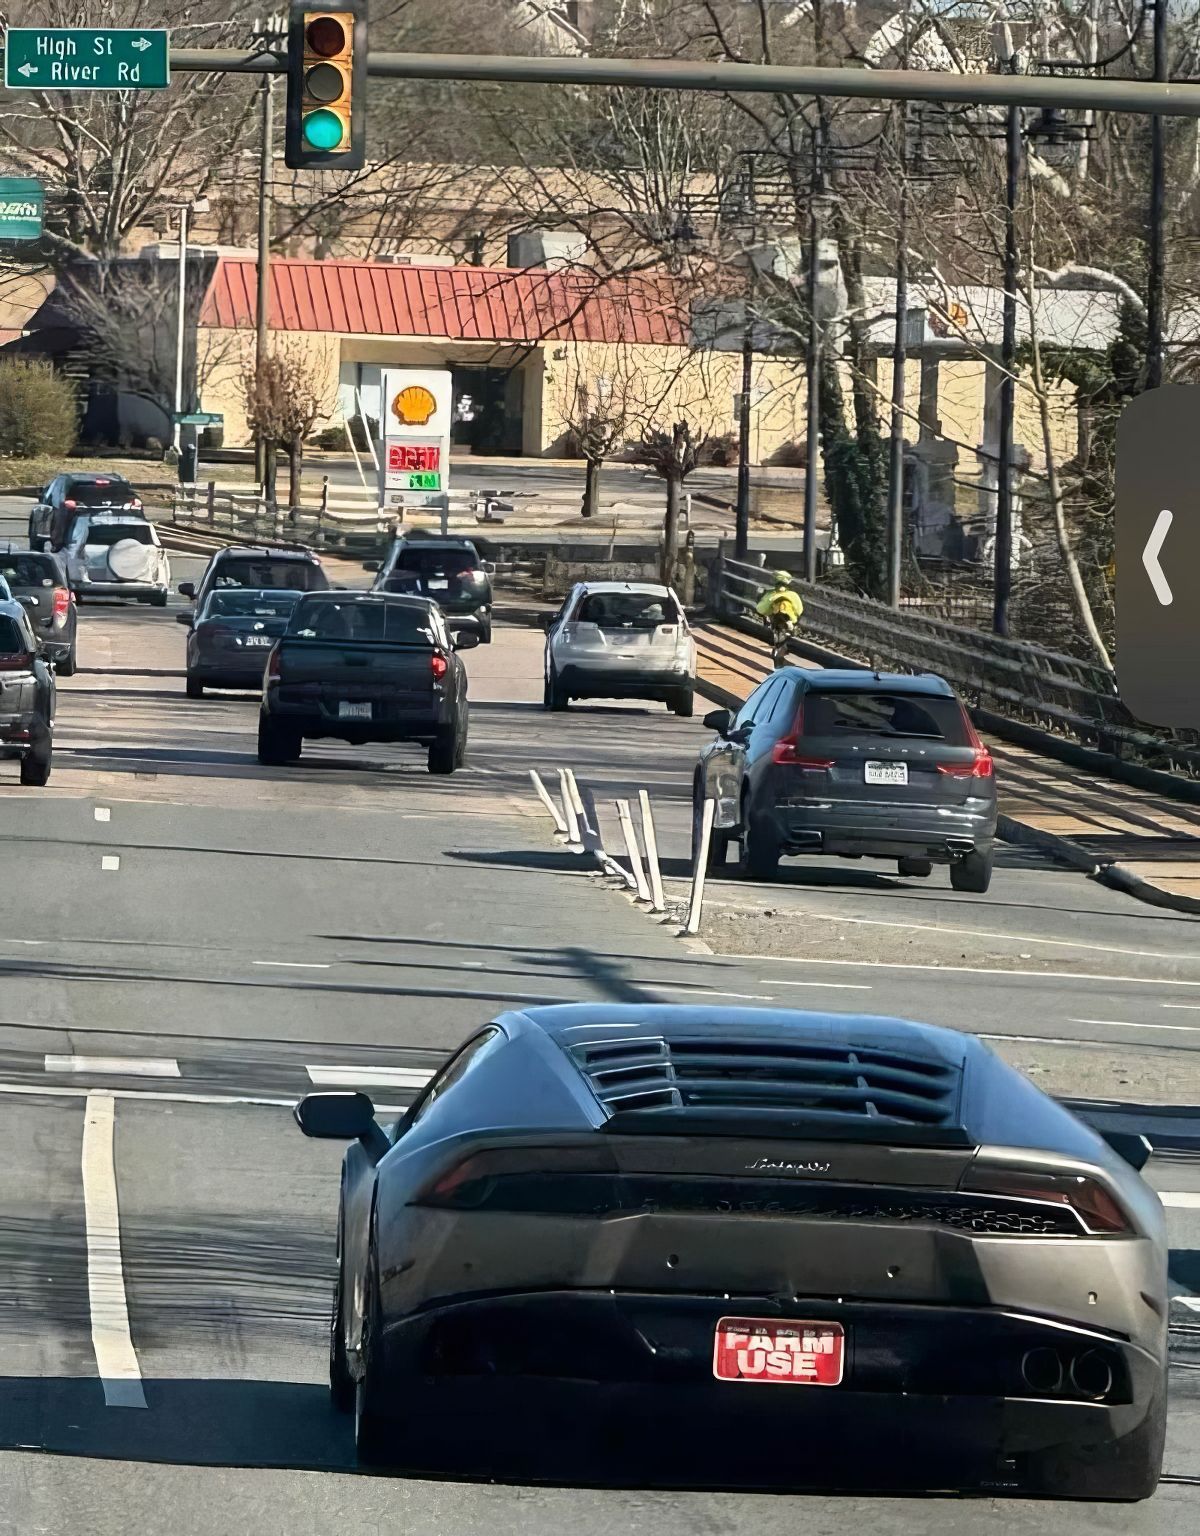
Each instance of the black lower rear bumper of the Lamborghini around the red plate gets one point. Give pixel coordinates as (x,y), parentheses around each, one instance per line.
(932,1380)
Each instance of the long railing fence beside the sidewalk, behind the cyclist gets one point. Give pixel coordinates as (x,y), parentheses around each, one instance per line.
(1059,694)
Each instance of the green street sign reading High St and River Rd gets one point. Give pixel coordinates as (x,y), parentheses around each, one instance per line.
(87,59)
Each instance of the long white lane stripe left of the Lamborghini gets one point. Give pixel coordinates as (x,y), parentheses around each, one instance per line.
(116,1359)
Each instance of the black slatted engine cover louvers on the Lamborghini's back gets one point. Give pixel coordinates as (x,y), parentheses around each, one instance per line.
(772,1085)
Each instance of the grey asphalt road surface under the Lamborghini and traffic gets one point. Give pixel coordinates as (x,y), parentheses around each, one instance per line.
(193,941)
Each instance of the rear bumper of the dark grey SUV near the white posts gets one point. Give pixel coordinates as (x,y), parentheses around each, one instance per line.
(890,832)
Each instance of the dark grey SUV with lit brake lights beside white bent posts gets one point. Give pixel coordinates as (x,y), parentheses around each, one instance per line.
(850,764)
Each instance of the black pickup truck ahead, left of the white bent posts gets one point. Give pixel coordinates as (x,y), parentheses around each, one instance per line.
(366,667)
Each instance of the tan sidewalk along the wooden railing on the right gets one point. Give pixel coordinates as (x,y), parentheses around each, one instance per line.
(1133,839)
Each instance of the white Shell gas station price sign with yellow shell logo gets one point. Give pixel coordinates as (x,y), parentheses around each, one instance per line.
(416,432)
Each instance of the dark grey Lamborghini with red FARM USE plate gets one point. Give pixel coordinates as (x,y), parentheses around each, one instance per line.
(646,1216)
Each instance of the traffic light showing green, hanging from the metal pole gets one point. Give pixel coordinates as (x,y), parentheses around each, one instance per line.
(327,88)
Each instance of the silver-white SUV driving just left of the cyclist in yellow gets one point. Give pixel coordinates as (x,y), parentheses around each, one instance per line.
(620,641)
